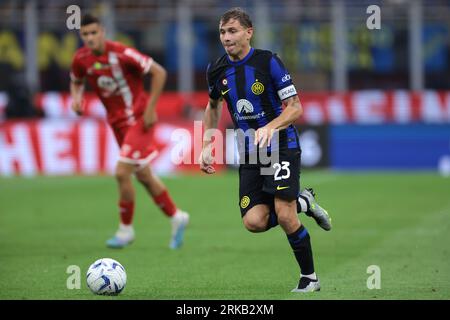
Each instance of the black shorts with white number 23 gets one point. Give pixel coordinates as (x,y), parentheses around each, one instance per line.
(284,182)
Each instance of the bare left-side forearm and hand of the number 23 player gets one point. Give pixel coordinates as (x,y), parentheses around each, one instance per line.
(210,121)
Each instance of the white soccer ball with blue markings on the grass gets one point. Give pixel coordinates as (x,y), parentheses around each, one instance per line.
(107,277)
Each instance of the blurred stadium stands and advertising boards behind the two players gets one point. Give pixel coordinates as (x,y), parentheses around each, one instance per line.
(366,93)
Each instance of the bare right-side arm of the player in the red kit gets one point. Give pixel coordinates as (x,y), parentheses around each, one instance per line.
(159,76)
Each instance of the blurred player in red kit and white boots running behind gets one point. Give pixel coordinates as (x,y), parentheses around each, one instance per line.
(115,72)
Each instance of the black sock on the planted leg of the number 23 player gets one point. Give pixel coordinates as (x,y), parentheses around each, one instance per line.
(301,245)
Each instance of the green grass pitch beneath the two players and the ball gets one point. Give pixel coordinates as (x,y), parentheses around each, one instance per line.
(399,222)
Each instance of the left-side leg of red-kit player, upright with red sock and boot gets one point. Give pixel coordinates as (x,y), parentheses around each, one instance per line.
(125,234)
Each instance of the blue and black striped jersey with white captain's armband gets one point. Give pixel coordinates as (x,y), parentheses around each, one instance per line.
(253,89)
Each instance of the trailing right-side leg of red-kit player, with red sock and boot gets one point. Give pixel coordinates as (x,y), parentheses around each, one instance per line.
(158,191)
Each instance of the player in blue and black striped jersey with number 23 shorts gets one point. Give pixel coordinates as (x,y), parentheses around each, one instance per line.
(255,85)
